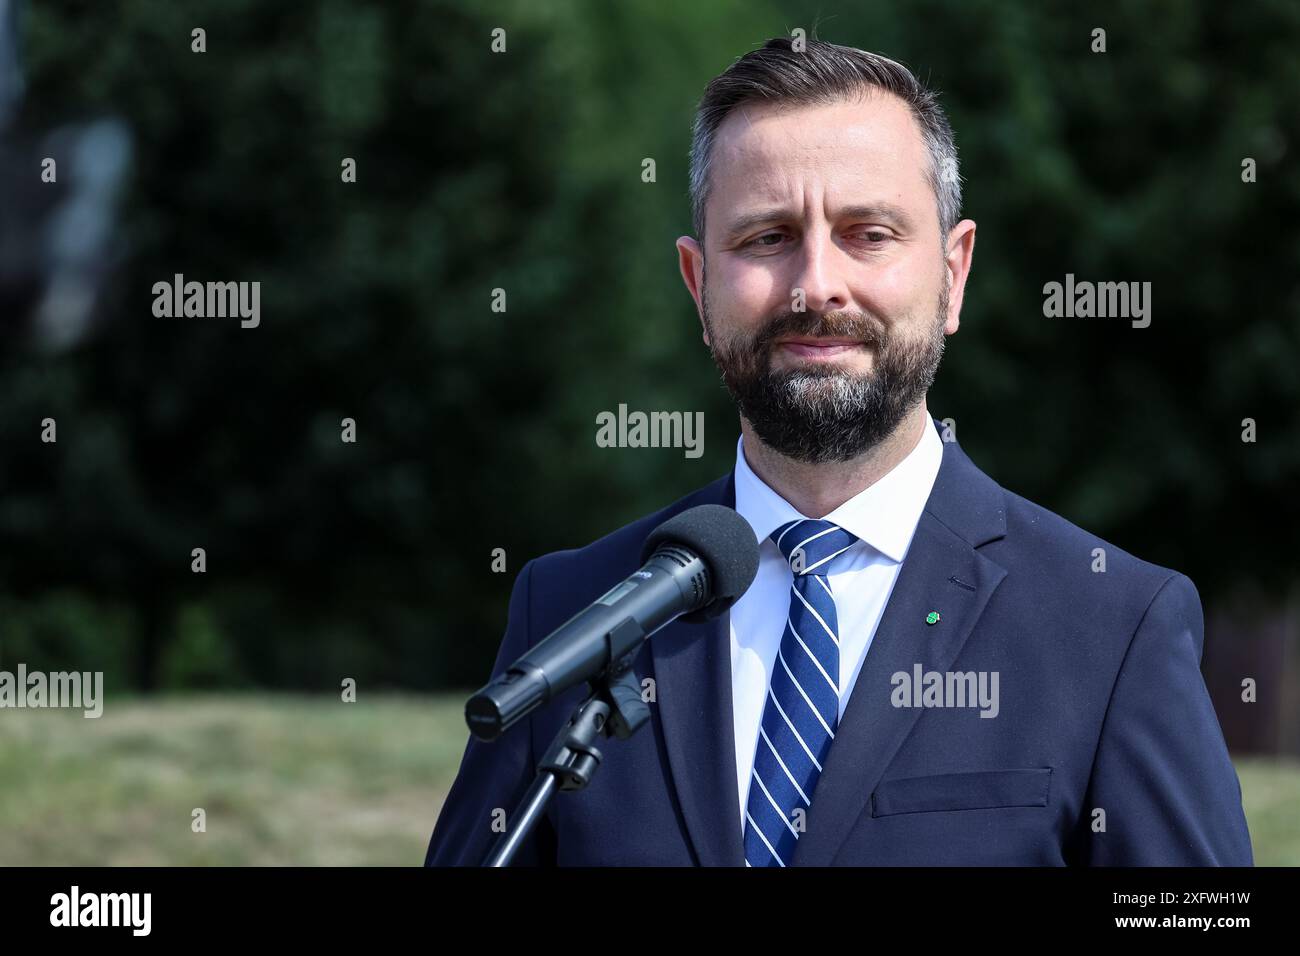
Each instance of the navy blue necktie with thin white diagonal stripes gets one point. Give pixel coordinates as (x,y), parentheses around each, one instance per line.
(803,708)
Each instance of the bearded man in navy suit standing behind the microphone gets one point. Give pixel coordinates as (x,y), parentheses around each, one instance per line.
(928,669)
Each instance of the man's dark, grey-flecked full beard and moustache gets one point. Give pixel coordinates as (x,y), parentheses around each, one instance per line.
(818,413)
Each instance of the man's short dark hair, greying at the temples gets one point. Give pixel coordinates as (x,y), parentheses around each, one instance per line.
(822,73)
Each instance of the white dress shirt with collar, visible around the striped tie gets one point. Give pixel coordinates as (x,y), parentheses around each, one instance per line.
(885,520)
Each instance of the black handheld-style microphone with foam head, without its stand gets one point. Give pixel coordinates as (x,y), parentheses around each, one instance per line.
(697,565)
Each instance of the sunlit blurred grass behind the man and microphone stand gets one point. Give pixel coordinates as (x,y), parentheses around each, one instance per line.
(302,781)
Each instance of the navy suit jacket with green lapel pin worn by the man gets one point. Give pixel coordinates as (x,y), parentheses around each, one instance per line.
(1106,750)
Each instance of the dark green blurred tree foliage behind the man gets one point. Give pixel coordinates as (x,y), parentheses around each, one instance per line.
(523,172)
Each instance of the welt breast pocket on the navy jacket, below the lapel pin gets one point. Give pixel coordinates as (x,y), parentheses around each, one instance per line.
(980,790)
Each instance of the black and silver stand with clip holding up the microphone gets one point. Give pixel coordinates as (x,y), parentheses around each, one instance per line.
(614,708)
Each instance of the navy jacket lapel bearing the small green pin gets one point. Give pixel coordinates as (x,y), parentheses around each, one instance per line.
(965,511)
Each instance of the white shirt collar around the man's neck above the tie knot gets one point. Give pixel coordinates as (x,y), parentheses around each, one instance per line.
(885,516)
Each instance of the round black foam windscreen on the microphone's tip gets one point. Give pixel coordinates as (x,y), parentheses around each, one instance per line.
(722,539)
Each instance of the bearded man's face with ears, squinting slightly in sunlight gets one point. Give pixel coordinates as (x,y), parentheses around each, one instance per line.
(829,205)
